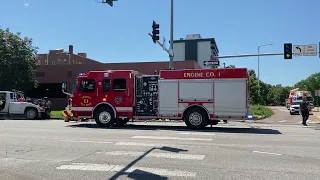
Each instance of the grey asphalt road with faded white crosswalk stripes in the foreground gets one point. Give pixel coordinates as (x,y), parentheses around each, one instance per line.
(40,150)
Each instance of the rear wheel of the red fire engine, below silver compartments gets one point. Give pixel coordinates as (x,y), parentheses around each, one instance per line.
(196,118)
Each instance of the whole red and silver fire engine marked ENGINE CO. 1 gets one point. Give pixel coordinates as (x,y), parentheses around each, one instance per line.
(199,97)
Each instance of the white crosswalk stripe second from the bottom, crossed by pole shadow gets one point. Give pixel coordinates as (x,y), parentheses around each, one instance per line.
(154,154)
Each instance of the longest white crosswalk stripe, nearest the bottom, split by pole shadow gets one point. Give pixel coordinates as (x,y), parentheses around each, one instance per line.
(133,169)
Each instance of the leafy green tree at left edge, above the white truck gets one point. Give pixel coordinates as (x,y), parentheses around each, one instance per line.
(17,61)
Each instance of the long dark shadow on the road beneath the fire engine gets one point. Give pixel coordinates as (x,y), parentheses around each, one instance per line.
(249,130)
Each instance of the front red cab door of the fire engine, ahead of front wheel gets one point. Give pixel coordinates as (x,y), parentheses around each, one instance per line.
(86,97)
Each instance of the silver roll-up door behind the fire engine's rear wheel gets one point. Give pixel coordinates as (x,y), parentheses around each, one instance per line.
(230,98)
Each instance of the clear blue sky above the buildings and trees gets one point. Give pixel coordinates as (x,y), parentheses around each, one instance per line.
(119,34)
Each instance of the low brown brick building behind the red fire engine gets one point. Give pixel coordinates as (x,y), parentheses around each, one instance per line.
(59,66)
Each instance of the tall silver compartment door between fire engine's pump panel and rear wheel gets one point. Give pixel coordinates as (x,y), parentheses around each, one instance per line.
(168,98)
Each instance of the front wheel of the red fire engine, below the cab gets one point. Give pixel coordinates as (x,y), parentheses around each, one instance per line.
(104,117)
